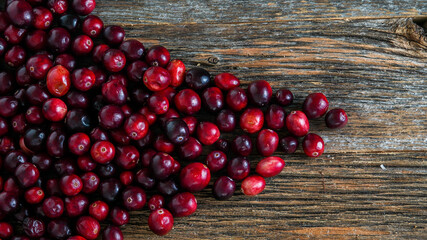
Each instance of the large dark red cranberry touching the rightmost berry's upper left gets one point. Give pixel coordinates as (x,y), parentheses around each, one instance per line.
(315,105)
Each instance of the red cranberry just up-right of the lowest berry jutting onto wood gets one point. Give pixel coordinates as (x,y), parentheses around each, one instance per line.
(183,204)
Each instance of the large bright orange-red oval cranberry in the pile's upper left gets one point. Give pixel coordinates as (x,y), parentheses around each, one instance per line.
(58,81)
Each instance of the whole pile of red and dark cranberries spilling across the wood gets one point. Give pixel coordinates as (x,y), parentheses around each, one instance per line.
(93,126)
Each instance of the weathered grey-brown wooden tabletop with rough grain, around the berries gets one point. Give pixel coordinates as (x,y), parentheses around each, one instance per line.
(369,58)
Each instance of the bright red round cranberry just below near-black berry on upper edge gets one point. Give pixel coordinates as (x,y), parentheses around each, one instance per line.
(187,101)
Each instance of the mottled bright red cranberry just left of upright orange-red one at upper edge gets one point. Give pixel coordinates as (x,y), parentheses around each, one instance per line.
(157,78)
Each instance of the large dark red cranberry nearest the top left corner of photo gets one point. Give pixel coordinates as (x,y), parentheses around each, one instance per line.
(20,13)
